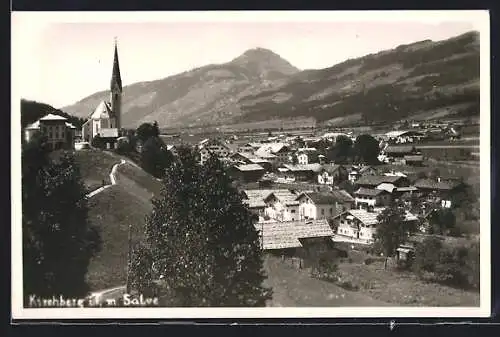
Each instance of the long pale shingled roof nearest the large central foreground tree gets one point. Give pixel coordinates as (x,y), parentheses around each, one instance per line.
(280,235)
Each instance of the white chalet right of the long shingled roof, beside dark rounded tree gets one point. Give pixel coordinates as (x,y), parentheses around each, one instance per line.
(361,224)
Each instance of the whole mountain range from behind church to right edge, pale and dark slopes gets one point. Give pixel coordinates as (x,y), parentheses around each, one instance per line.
(426,79)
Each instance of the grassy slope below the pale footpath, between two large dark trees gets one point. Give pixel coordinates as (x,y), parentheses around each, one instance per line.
(113,210)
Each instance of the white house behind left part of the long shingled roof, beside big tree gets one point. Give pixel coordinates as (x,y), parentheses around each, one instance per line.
(282,205)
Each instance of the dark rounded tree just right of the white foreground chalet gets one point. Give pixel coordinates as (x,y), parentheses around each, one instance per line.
(393,230)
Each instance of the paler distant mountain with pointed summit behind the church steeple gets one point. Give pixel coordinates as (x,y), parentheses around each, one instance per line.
(200,96)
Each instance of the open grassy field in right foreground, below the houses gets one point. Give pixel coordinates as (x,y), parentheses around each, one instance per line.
(375,286)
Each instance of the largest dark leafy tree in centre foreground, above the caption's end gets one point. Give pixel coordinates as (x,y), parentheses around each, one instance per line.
(202,239)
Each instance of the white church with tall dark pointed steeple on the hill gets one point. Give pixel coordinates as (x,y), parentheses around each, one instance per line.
(105,120)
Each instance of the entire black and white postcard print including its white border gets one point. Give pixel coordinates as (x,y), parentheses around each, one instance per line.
(250,164)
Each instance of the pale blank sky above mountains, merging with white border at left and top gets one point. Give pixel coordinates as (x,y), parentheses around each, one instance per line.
(60,59)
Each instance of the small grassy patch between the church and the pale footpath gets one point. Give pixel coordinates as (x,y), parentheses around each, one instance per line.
(95,166)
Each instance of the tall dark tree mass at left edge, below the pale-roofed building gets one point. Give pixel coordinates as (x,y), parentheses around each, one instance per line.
(58,239)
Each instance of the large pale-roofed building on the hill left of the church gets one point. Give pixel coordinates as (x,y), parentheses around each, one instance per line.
(60,134)
